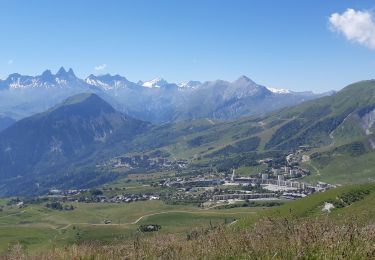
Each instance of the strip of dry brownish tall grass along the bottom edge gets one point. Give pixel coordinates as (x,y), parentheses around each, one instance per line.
(267,239)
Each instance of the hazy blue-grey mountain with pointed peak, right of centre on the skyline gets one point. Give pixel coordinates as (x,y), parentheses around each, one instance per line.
(230,100)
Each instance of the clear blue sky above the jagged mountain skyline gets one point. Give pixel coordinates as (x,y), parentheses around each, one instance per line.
(286,44)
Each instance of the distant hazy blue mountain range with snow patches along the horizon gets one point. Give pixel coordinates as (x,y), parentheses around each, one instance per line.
(156,100)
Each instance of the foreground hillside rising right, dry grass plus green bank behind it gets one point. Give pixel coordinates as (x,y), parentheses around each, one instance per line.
(295,230)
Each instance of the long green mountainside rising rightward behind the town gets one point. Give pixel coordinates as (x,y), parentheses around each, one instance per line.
(325,121)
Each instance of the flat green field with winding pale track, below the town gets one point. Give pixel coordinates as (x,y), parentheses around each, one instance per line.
(36,227)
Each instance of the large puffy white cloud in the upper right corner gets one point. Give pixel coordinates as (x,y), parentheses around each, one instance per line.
(356,26)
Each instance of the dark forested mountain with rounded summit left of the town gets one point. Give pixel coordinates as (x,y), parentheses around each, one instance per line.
(48,144)
